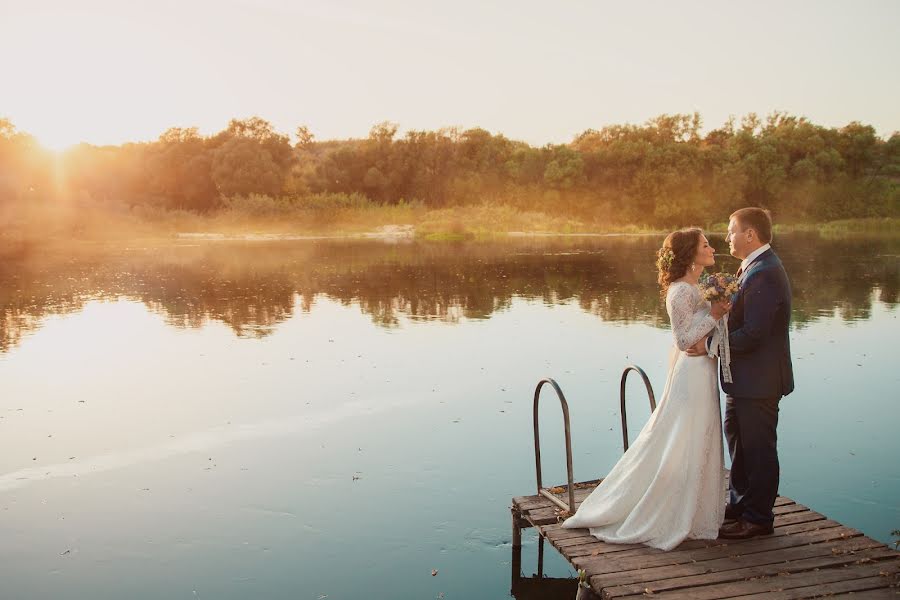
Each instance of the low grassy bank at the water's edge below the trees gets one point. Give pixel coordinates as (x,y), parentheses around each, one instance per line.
(339,216)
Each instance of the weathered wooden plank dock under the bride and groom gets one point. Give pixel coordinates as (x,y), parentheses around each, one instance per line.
(808,556)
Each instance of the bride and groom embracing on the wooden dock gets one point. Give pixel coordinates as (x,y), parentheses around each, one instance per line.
(670,484)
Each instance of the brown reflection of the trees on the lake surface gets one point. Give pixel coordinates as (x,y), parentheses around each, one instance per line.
(252,287)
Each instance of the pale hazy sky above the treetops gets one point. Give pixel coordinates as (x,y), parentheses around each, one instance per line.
(108,71)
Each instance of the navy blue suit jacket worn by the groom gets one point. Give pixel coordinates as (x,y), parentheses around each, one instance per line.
(758,332)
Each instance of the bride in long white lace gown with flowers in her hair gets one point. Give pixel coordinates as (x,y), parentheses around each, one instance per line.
(670,484)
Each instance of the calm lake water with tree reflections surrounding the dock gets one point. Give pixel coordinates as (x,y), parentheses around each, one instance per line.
(302,420)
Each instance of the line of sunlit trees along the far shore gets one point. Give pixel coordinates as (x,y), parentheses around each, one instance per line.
(665,172)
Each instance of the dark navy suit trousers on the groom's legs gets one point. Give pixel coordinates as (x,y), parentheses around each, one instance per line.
(750,430)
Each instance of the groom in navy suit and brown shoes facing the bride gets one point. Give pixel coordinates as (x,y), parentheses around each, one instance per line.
(761,374)
